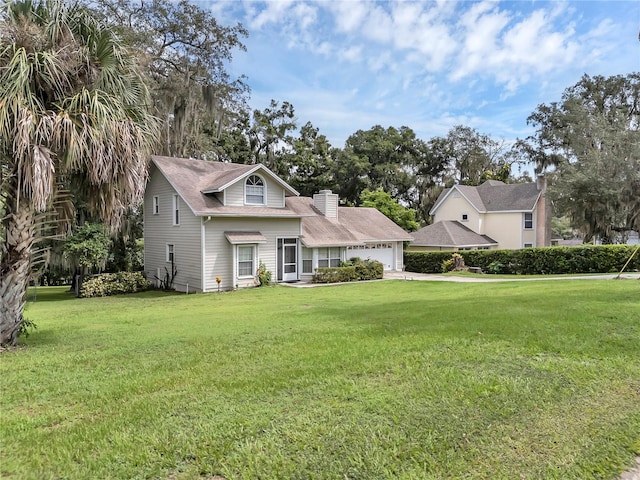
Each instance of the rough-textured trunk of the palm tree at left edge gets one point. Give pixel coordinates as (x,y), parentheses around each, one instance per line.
(15,269)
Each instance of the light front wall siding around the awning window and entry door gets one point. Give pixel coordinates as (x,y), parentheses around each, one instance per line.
(219,252)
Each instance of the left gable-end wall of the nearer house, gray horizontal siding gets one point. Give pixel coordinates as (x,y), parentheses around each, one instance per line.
(160,231)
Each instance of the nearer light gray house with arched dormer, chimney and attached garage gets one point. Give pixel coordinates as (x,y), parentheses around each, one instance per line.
(214,219)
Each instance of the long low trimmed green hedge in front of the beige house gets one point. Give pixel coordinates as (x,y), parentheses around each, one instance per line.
(532,261)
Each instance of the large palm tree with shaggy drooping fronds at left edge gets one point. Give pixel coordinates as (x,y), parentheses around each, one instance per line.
(74,110)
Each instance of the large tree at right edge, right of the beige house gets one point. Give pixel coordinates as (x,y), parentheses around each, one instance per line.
(590,140)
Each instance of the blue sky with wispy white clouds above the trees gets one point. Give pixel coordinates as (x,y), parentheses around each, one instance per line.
(429,65)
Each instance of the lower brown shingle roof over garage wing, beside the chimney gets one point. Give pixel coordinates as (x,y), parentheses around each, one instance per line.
(354,226)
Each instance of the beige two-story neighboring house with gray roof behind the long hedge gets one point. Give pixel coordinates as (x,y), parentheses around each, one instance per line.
(490,216)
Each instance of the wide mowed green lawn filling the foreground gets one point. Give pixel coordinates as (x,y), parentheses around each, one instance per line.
(393,379)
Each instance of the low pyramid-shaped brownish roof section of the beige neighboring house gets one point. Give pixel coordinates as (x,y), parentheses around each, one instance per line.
(450,233)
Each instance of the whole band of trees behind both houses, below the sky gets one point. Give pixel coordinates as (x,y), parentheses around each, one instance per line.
(205,114)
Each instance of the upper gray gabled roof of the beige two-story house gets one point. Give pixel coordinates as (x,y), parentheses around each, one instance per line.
(495,196)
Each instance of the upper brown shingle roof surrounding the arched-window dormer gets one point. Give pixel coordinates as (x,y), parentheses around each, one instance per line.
(192,179)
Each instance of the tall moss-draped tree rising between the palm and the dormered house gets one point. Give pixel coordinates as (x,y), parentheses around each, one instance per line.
(186,53)
